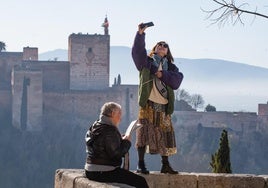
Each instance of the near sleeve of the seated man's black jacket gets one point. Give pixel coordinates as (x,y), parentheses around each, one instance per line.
(115,146)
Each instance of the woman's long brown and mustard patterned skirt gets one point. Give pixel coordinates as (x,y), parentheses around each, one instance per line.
(156,132)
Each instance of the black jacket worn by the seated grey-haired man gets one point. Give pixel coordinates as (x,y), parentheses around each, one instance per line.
(105,145)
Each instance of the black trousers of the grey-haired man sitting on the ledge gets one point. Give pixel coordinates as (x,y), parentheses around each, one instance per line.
(118,175)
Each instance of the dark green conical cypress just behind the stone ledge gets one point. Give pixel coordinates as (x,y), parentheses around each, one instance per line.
(220,160)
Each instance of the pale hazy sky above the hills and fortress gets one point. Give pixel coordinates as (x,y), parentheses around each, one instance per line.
(47,25)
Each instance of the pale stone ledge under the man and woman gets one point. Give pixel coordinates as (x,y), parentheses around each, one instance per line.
(74,178)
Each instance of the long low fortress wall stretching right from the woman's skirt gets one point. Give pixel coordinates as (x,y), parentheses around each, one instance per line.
(238,121)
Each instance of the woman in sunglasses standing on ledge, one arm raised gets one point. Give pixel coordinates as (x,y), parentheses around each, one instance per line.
(159,77)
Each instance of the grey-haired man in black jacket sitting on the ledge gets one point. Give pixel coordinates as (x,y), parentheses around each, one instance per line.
(106,147)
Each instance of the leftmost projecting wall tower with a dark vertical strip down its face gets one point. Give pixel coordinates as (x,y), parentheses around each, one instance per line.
(27,94)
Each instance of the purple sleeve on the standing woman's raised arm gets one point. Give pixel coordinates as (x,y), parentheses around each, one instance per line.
(139,54)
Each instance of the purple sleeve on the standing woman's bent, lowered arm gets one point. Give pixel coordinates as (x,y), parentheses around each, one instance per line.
(172,77)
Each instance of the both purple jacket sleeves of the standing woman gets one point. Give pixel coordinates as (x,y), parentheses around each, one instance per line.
(171,77)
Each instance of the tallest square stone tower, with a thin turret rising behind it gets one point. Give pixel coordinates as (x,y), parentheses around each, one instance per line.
(89,57)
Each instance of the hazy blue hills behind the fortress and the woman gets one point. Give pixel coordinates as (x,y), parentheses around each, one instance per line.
(227,85)
